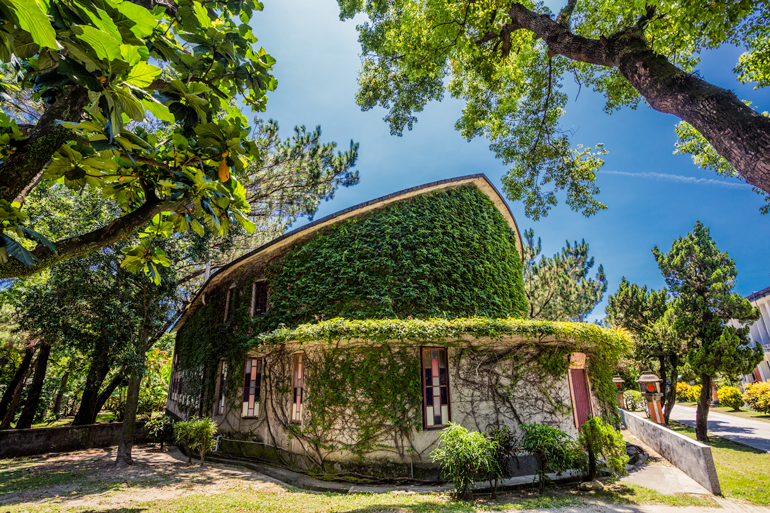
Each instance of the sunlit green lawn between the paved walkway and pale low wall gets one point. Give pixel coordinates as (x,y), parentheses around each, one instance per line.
(744,473)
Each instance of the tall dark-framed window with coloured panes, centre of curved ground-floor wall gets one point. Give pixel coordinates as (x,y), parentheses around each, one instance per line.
(435,387)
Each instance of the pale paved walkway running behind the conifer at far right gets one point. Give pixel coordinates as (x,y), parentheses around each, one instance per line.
(753,433)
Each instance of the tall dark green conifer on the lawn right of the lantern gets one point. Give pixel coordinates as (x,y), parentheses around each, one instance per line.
(701,278)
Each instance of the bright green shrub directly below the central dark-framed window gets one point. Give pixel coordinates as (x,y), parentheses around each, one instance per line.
(465,455)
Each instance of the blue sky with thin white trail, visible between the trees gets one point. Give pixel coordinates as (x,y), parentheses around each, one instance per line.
(653,196)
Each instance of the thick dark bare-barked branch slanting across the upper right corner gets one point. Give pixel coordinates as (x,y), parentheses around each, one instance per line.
(738,133)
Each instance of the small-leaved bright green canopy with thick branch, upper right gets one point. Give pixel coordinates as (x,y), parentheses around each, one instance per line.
(508,61)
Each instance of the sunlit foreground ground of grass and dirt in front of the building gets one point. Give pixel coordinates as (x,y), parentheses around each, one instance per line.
(38,484)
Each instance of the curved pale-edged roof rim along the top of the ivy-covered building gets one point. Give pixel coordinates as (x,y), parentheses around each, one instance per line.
(307,231)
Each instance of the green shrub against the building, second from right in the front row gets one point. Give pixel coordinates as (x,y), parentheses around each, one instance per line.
(554,450)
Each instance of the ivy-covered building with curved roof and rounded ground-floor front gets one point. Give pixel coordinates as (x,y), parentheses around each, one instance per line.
(347,345)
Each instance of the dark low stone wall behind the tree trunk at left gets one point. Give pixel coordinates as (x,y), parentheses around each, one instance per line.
(28,442)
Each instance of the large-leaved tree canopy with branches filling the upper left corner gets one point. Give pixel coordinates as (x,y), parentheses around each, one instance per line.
(100,70)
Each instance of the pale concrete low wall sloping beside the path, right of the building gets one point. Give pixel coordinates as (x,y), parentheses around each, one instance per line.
(690,456)
